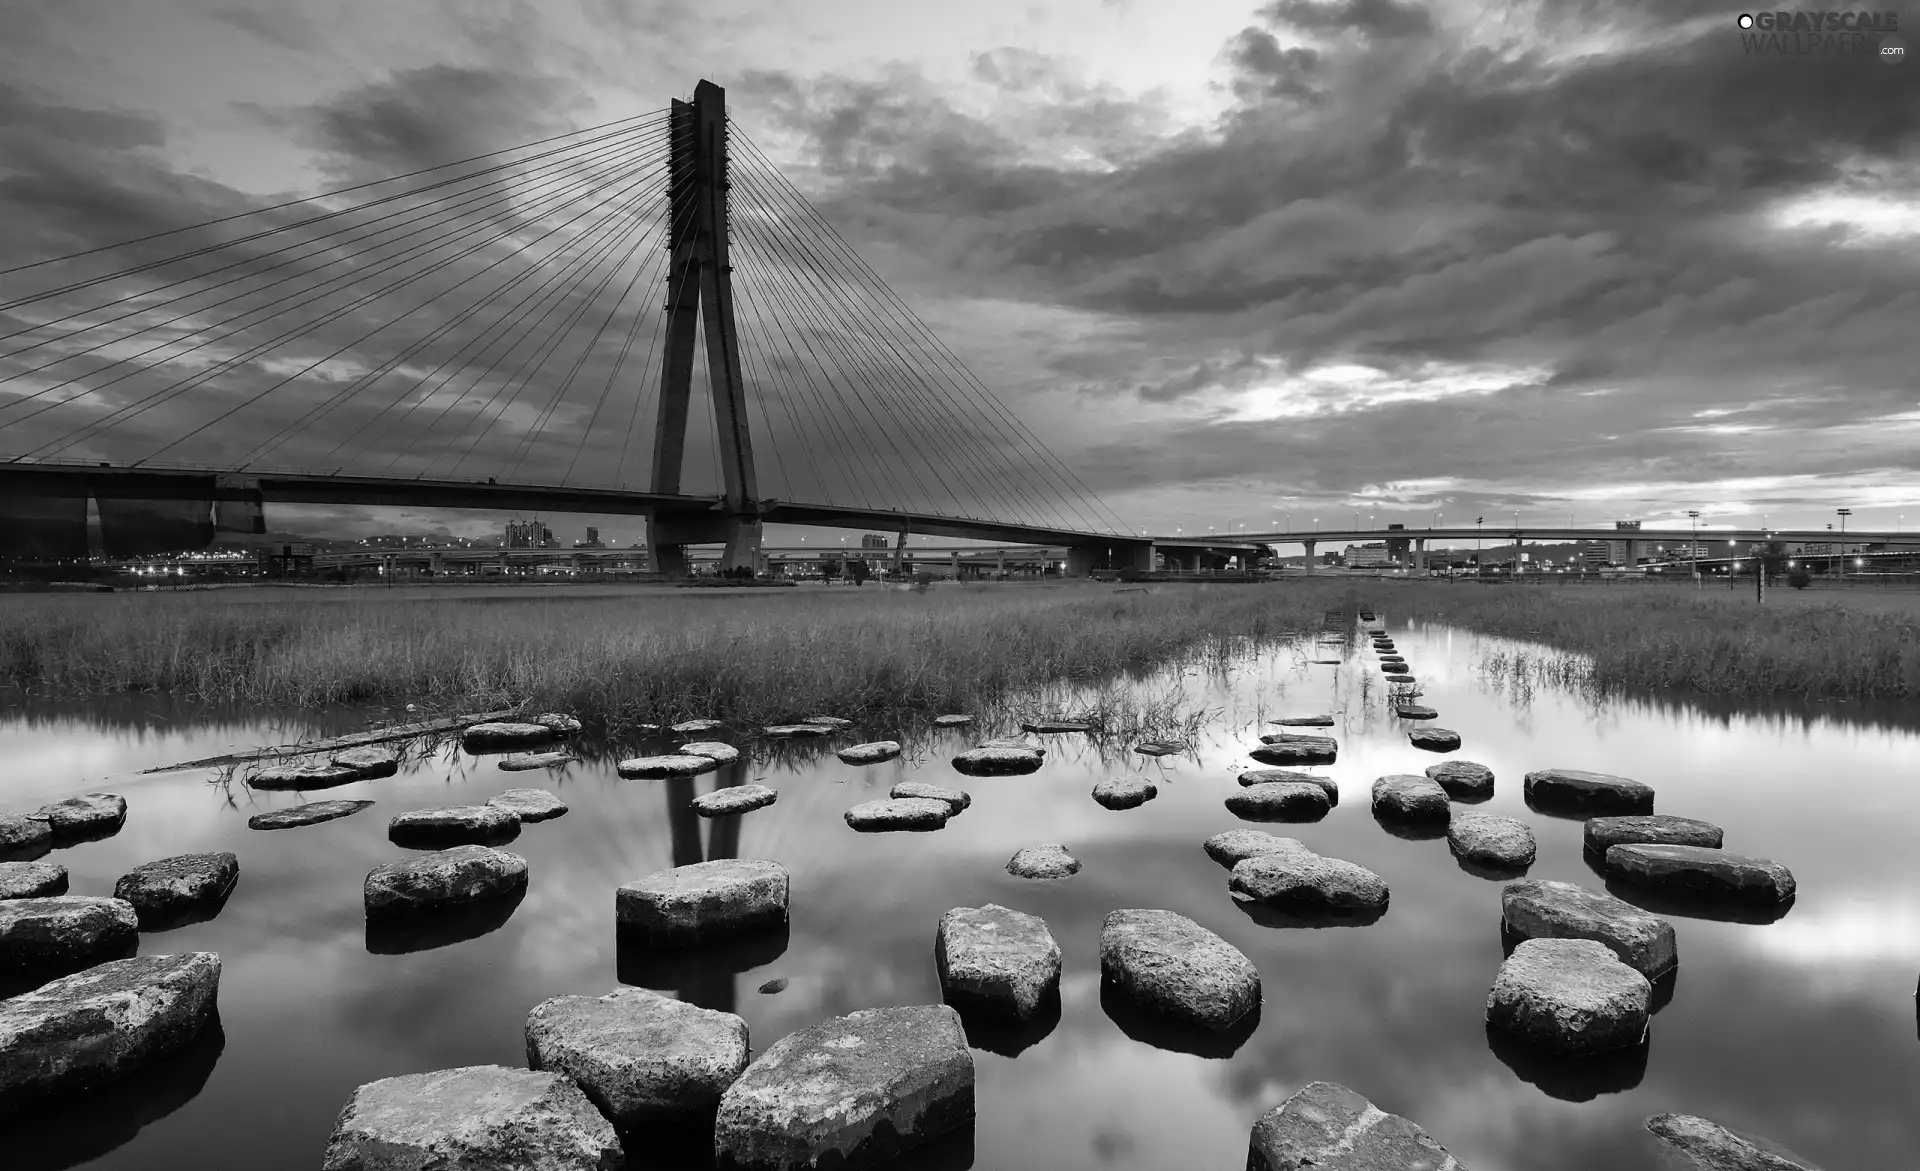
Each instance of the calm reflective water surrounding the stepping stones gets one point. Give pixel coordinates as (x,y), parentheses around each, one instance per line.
(1802,1030)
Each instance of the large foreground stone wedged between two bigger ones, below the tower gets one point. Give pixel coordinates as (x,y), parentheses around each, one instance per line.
(642,1059)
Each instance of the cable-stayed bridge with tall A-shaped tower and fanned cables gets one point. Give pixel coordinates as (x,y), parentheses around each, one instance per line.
(516,331)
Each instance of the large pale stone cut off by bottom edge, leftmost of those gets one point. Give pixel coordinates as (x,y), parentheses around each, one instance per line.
(473,1118)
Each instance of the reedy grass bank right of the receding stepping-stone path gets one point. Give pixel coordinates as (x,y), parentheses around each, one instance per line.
(1673,638)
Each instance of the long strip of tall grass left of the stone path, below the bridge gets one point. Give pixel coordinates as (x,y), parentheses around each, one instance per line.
(761,657)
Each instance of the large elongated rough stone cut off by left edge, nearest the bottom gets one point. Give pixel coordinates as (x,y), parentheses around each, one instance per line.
(105,1024)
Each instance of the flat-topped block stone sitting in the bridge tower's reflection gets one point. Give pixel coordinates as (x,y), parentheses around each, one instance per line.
(706,901)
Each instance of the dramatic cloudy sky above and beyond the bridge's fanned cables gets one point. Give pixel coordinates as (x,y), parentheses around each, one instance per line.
(1234,264)
